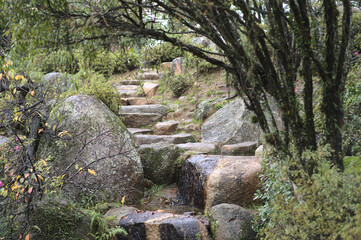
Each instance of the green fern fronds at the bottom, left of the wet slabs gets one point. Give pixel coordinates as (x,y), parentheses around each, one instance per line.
(100,227)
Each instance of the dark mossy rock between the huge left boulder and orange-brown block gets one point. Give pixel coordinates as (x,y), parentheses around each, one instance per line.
(159,162)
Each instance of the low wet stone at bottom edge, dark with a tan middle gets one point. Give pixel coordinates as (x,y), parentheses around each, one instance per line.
(154,225)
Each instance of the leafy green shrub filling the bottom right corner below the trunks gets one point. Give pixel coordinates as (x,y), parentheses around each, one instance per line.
(323,206)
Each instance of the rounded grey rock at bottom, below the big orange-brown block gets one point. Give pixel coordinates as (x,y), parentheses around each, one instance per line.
(231,222)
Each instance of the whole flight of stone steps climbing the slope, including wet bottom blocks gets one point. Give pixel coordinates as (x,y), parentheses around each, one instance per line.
(211,173)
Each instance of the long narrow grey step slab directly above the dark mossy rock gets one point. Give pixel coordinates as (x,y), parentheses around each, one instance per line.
(175,139)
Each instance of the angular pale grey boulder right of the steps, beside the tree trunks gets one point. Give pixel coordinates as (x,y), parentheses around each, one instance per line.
(231,124)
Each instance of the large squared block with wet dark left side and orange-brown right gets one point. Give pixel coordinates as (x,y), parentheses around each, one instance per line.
(210,180)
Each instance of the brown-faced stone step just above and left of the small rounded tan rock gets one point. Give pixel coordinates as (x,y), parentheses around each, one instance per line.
(137,120)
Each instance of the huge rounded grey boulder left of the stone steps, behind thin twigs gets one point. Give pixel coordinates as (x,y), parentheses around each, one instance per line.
(92,138)
